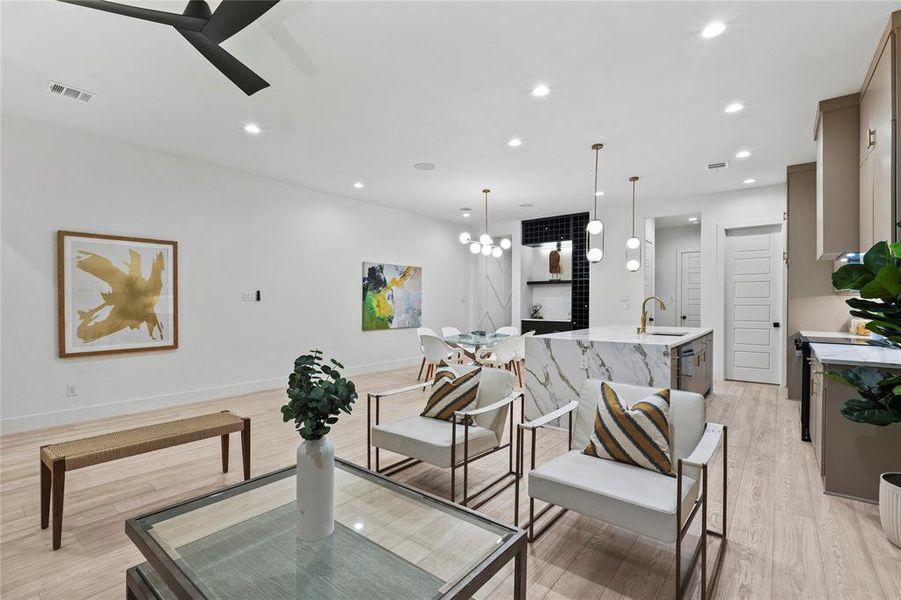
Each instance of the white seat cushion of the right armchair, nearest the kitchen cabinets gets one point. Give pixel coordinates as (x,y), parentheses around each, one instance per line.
(630,497)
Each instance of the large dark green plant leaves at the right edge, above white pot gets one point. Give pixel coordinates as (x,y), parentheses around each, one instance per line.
(878,279)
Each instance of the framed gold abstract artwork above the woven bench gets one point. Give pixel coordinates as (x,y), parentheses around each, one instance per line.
(116,294)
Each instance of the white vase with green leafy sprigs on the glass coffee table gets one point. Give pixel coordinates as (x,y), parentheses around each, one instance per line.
(317,394)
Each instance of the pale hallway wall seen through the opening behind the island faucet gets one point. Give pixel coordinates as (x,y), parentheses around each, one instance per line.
(670,241)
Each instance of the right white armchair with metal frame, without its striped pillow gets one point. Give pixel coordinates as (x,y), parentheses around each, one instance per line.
(634,498)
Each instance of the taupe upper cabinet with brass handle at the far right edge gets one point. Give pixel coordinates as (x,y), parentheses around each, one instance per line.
(878,153)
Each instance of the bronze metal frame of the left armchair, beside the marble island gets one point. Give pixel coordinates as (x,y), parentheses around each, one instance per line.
(459,419)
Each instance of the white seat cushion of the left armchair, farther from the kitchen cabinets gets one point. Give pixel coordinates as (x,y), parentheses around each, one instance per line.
(429,440)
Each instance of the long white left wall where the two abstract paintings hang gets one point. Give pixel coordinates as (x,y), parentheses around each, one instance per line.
(303,249)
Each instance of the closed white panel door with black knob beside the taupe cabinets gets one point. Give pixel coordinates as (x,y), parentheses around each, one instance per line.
(753,304)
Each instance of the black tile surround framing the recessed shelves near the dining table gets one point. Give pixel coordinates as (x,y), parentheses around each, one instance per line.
(556,229)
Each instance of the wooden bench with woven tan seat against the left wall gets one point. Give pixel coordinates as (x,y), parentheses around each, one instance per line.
(56,459)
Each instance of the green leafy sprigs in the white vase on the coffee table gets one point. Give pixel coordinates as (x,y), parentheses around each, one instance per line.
(317,394)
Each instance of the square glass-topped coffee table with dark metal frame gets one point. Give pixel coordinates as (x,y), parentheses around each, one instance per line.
(390,541)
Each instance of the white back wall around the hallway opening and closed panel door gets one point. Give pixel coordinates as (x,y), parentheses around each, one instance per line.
(616,294)
